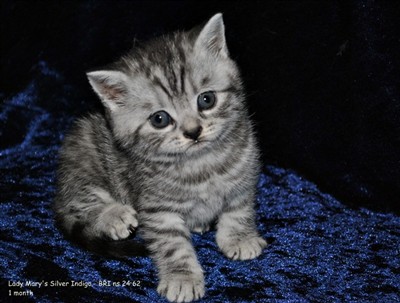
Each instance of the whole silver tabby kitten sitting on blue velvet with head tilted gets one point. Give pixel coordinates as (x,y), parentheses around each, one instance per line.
(174,153)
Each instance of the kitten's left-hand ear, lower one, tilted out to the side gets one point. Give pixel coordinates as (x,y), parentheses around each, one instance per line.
(110,86)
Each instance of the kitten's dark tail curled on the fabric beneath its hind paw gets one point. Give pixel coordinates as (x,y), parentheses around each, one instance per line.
(105,247)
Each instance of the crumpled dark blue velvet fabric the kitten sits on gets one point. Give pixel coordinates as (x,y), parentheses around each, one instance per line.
(320,250)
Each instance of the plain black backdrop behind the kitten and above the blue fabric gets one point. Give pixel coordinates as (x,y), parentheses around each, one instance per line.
(322,77)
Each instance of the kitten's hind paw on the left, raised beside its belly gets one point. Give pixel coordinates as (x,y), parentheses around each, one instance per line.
(117,221)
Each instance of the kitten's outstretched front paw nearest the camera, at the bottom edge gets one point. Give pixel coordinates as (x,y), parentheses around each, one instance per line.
(181,288)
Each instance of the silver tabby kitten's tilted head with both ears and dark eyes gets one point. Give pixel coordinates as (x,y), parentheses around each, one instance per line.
(175,95)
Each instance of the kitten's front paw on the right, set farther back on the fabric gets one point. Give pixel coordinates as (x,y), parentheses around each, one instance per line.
(243,249)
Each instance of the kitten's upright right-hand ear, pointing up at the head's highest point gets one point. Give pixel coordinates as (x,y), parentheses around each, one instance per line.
(212,37)
